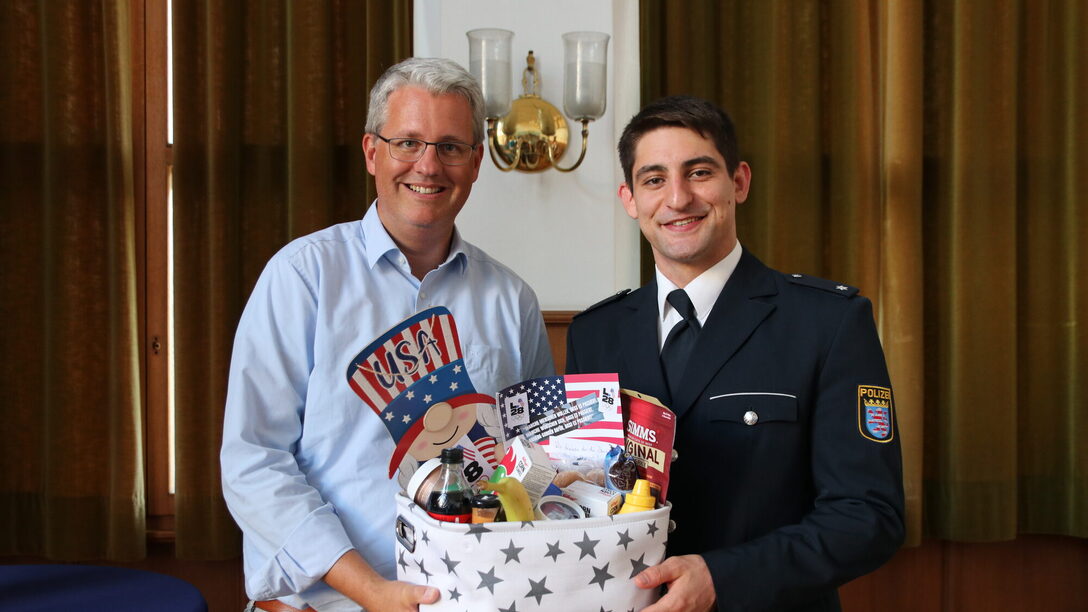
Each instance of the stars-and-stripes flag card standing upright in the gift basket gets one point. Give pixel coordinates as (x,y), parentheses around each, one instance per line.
(530,401)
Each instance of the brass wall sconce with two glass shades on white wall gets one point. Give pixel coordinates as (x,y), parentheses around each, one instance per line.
(530,134)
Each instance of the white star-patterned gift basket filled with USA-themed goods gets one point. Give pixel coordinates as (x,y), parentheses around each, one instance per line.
(551,495)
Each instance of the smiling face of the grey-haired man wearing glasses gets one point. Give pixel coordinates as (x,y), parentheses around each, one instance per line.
(424,198)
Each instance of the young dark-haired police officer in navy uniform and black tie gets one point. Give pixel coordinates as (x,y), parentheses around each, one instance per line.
(789,478)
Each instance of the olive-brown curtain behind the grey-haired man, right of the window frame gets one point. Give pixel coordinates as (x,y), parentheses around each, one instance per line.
(270,104)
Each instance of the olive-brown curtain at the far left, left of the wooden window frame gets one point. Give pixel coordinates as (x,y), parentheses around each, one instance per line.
(72,476)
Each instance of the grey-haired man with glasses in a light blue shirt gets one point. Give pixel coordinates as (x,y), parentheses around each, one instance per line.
(305,461)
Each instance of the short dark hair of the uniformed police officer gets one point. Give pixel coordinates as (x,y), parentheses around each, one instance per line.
(698,115)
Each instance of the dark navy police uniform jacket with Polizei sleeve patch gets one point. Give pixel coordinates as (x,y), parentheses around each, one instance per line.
(788,479)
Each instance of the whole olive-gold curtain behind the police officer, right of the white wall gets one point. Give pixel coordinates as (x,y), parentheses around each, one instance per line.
(932,154)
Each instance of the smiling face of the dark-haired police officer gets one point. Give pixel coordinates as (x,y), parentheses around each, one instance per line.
(685,201)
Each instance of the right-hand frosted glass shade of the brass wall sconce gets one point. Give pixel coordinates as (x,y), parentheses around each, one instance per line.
(586,75)
